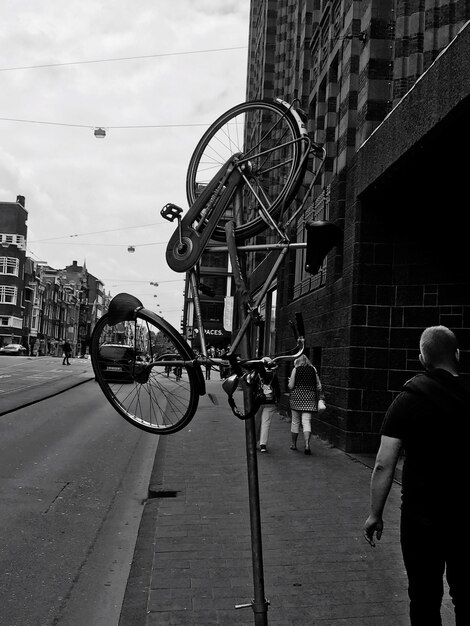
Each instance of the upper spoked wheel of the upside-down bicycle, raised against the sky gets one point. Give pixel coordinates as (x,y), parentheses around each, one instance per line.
(267,135)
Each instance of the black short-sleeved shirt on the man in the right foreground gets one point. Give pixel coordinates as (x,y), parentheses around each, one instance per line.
(432,417)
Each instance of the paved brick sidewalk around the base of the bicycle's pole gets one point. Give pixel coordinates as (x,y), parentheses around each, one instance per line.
(192,562)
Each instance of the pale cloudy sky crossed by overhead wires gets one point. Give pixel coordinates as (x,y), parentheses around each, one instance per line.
(70,67)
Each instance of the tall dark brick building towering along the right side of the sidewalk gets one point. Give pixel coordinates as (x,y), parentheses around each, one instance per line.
(386,89)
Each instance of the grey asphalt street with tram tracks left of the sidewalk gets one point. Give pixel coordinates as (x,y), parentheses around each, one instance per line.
(73,479)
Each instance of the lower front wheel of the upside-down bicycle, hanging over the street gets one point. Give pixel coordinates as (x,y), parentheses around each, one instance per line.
(144,368)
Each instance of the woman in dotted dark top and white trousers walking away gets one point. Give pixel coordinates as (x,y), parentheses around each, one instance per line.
(306,398)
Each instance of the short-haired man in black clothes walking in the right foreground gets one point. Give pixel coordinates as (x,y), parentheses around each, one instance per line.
(430,421)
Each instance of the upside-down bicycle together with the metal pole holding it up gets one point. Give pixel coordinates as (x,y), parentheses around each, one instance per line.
(242,176)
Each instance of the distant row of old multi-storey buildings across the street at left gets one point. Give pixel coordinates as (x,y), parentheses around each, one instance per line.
(42,307)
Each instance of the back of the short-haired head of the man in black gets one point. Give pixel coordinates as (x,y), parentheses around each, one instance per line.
(439,349)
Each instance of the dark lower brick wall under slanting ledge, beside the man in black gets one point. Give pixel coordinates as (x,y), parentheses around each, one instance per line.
(403,264)
